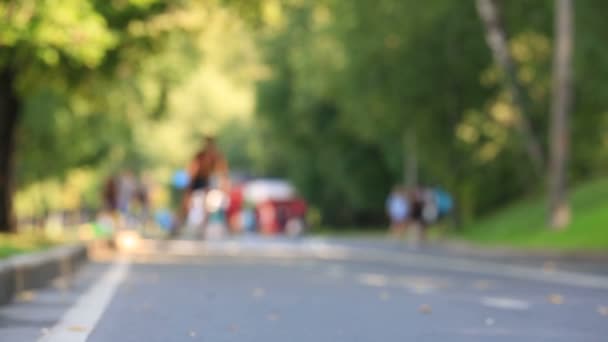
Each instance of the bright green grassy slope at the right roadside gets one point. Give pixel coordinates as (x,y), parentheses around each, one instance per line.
(524,224)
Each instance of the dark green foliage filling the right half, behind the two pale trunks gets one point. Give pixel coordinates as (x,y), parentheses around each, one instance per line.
(350,79)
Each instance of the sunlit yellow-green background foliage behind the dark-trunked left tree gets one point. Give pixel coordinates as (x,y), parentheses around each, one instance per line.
(174,71)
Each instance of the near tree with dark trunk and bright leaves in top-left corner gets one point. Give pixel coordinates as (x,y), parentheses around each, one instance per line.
(31,39)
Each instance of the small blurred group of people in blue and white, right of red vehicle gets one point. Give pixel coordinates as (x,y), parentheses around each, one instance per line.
(415,209)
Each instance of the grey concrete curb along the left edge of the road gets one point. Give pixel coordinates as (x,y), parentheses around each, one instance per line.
(36,270)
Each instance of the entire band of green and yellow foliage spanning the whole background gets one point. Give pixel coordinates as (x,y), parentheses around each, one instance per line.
(339,86)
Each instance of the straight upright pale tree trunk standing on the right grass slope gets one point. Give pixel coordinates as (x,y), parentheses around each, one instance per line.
(559,209)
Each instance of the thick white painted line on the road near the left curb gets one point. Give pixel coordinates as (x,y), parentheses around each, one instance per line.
(79,321)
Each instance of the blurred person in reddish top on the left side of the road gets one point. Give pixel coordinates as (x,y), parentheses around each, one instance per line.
(207,162)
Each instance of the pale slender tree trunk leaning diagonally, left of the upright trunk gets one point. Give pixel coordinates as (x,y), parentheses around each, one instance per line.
(496,37)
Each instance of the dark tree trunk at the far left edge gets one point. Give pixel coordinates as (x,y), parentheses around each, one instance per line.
(9,114)
